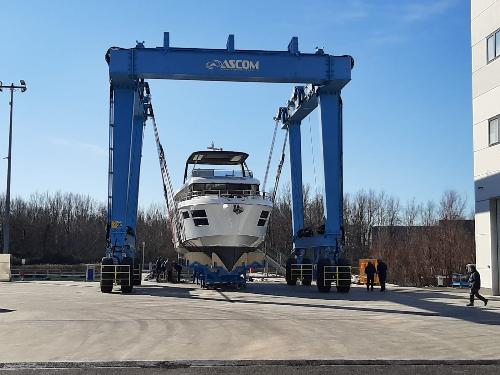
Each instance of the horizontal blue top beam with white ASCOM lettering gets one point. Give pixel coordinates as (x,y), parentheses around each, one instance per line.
(228,64)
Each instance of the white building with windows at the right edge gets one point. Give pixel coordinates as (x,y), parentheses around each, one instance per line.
(485,40)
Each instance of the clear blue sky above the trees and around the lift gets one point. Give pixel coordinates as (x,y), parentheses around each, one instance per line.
(407,110)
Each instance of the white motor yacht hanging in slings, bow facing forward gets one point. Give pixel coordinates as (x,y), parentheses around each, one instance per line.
(222,214)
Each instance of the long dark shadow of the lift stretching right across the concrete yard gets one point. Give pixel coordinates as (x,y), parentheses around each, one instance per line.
(424,302)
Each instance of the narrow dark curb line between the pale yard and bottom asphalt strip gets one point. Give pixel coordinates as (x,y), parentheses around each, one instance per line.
(241,363)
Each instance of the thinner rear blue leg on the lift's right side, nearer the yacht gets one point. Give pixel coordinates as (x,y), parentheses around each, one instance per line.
(296,177)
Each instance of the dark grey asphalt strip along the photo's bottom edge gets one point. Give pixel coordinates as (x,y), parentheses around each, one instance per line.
(258,368)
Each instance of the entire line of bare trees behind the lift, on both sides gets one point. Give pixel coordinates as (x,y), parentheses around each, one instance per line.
(68,228)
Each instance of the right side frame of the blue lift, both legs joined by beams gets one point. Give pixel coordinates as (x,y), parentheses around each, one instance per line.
(303,101)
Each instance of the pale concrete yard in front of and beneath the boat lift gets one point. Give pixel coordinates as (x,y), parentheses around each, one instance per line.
(73,321)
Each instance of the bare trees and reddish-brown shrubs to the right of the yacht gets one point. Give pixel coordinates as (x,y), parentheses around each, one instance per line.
(417,240)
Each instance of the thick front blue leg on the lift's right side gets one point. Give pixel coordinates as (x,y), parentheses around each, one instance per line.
(331,142)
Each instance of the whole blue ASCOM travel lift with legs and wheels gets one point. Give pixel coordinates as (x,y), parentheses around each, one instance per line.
(314,253)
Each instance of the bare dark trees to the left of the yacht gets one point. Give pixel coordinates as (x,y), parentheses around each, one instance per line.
(68,228)
